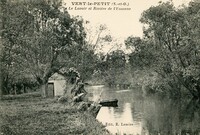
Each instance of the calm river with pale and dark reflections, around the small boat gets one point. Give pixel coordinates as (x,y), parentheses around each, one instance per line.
(136,115)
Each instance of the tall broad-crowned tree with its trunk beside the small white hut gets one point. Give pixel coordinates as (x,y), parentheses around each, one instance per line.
(42,36)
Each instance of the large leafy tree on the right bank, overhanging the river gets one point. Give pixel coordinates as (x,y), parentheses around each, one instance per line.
(171,46)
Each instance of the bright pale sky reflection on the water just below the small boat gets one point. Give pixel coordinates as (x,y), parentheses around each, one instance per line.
(120,122)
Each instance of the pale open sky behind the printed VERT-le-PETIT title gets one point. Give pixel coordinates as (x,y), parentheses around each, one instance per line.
(120,23)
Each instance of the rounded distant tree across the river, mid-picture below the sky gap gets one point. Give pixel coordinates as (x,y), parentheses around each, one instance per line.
(112,67)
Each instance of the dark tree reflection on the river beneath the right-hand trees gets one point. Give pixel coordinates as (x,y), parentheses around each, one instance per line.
(171,118)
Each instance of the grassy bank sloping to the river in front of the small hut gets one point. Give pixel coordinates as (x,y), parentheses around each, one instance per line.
(36,116)
